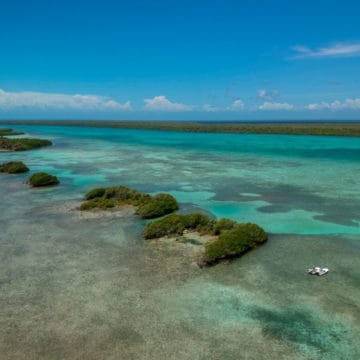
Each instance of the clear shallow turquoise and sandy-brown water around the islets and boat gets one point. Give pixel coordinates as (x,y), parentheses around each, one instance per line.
(87,286)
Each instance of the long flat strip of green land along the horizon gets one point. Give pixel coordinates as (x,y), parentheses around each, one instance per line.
(284,128)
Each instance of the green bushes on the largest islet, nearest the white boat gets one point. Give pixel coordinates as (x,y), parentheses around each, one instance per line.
(232,239)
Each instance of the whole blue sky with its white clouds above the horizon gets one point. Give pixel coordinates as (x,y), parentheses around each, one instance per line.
(191,60)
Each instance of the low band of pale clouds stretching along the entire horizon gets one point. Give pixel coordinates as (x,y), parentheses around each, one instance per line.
(38,101)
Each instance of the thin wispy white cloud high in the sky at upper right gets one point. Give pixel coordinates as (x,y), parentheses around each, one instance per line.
(336,50)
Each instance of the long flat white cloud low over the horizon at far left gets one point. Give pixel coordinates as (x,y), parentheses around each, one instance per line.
(39,100)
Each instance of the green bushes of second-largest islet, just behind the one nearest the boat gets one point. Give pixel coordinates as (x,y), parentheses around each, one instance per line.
(148,206)
